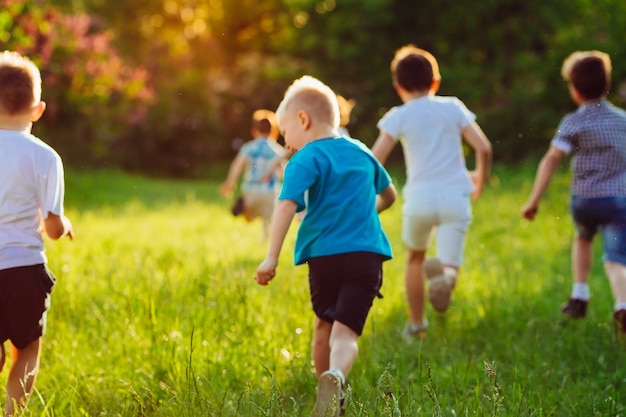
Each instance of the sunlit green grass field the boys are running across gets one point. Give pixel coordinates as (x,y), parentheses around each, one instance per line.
(155,313)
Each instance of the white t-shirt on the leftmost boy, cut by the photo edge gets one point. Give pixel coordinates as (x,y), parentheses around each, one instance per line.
(31,181)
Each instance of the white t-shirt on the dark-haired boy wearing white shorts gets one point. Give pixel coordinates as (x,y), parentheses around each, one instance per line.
(429,129)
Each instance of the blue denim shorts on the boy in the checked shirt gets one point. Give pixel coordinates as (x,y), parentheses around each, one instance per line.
(607,215)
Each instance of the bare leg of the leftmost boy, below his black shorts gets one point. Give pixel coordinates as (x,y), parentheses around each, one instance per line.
(24,368)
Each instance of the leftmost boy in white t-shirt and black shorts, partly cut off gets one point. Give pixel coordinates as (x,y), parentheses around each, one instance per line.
(31,202)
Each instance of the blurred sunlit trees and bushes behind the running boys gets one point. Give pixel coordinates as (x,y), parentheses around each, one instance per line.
(167,87)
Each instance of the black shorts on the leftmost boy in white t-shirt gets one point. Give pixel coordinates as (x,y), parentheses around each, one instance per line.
(24,300)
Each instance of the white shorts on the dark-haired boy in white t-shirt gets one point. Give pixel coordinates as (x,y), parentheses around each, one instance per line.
(449,215)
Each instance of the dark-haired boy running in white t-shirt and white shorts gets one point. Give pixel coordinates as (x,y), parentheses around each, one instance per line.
(438,185)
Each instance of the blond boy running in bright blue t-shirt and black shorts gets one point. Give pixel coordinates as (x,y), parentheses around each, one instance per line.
(343,188)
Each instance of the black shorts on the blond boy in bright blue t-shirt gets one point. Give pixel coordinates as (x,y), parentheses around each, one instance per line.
(343,287)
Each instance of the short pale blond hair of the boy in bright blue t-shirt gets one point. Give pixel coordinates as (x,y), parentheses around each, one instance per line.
(314,97)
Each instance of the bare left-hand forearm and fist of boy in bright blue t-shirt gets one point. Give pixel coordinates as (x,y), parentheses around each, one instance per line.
(281,220)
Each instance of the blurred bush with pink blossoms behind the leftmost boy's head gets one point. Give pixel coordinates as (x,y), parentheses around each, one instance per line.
(93,96)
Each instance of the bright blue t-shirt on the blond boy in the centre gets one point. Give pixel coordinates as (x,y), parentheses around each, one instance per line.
(336,180)
